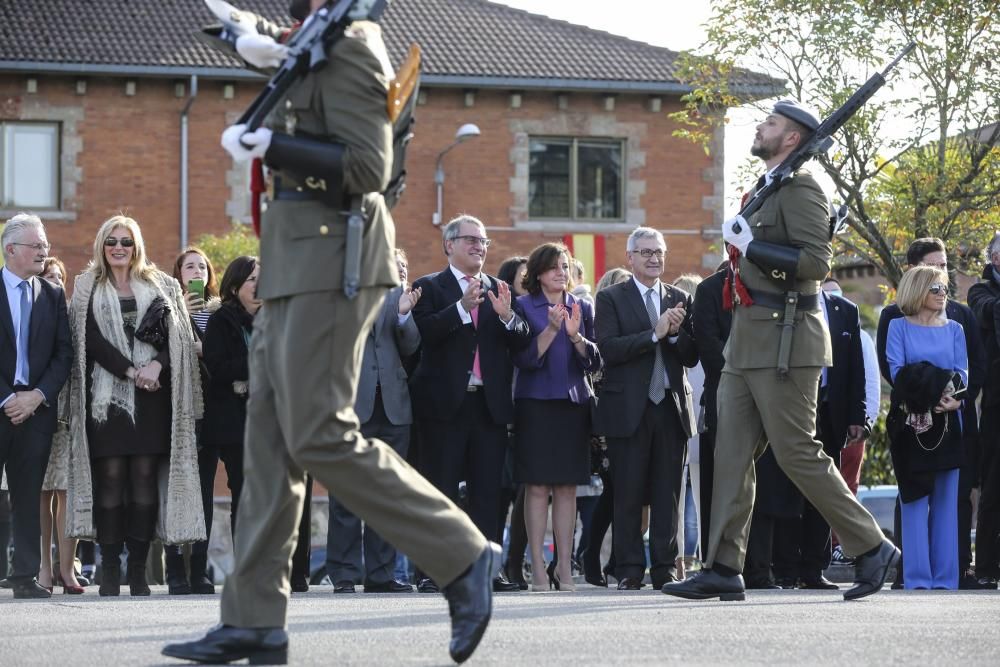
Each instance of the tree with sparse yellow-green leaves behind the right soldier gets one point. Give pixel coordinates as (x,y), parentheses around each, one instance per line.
(922,158)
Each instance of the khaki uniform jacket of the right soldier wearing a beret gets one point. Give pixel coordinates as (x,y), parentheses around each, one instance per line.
(797,215)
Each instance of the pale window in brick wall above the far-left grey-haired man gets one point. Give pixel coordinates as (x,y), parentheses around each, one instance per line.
(29,165)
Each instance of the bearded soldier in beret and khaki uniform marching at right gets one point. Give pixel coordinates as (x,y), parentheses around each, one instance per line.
(778,345)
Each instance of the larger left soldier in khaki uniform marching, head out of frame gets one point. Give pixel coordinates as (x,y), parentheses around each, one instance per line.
(330,147)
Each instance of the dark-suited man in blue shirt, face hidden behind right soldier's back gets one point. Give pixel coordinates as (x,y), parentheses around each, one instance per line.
(802,545)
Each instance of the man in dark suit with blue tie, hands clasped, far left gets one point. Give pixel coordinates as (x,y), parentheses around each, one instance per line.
(35,357)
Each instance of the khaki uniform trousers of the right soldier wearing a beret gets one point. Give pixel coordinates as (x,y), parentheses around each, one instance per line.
(756,408)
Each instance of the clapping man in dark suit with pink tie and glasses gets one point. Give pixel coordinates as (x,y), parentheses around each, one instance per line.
(462,386)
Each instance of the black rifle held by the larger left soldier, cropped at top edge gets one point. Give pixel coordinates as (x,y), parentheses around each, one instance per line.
(307,53)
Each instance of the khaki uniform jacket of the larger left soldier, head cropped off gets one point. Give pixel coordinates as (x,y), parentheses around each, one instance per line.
(302,242)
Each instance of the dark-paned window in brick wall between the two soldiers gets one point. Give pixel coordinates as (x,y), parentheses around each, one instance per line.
(576,179)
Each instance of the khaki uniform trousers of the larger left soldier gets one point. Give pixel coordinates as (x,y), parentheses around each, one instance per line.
(305,355)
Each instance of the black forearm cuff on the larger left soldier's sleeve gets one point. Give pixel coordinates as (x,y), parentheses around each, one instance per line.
(316,165)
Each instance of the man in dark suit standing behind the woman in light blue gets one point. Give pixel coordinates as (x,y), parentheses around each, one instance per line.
(932,252)
